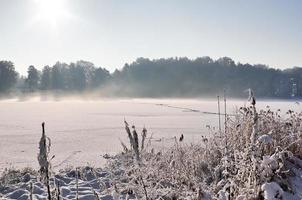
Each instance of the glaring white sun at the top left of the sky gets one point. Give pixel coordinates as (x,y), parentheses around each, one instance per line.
(51,11)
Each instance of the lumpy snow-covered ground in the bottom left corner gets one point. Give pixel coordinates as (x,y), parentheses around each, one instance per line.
(91,181)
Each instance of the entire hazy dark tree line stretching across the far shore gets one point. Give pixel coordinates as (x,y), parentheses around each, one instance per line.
(171,77)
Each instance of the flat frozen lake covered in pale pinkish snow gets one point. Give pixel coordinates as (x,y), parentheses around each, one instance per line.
(82,130)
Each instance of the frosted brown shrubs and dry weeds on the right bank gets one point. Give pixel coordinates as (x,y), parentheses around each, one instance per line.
(256,157)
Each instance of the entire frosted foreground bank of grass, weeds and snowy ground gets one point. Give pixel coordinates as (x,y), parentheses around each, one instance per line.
(258,156)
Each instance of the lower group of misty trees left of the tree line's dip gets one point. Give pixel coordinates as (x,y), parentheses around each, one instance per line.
(73,77)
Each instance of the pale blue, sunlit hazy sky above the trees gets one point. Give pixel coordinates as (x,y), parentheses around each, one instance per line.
(114,32)
